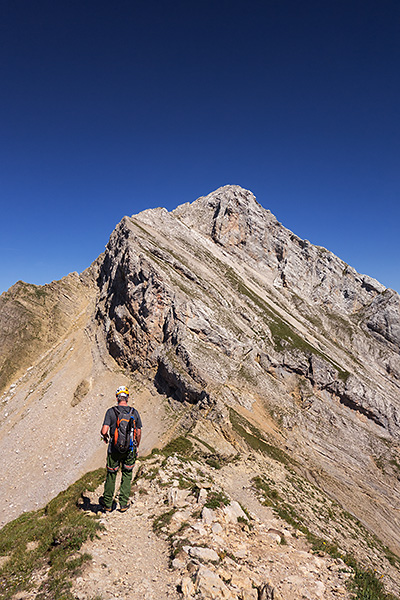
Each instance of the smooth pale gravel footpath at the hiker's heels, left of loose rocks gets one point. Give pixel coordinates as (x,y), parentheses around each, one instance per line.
(129,560)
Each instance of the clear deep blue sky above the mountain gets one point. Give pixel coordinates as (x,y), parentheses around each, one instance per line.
(111,107)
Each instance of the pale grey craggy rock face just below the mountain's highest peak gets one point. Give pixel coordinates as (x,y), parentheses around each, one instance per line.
(233,218)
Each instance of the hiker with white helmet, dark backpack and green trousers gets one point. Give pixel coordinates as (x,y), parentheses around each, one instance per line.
(122,430)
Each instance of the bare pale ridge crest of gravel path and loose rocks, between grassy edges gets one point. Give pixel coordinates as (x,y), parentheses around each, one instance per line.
(186,537)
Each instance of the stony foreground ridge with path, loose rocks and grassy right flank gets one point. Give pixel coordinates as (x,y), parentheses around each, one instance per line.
(203,529)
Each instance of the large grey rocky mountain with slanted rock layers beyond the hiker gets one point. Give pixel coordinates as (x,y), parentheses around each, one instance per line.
(219,306)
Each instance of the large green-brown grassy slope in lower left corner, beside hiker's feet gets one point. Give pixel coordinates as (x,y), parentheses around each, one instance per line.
(49,538)
